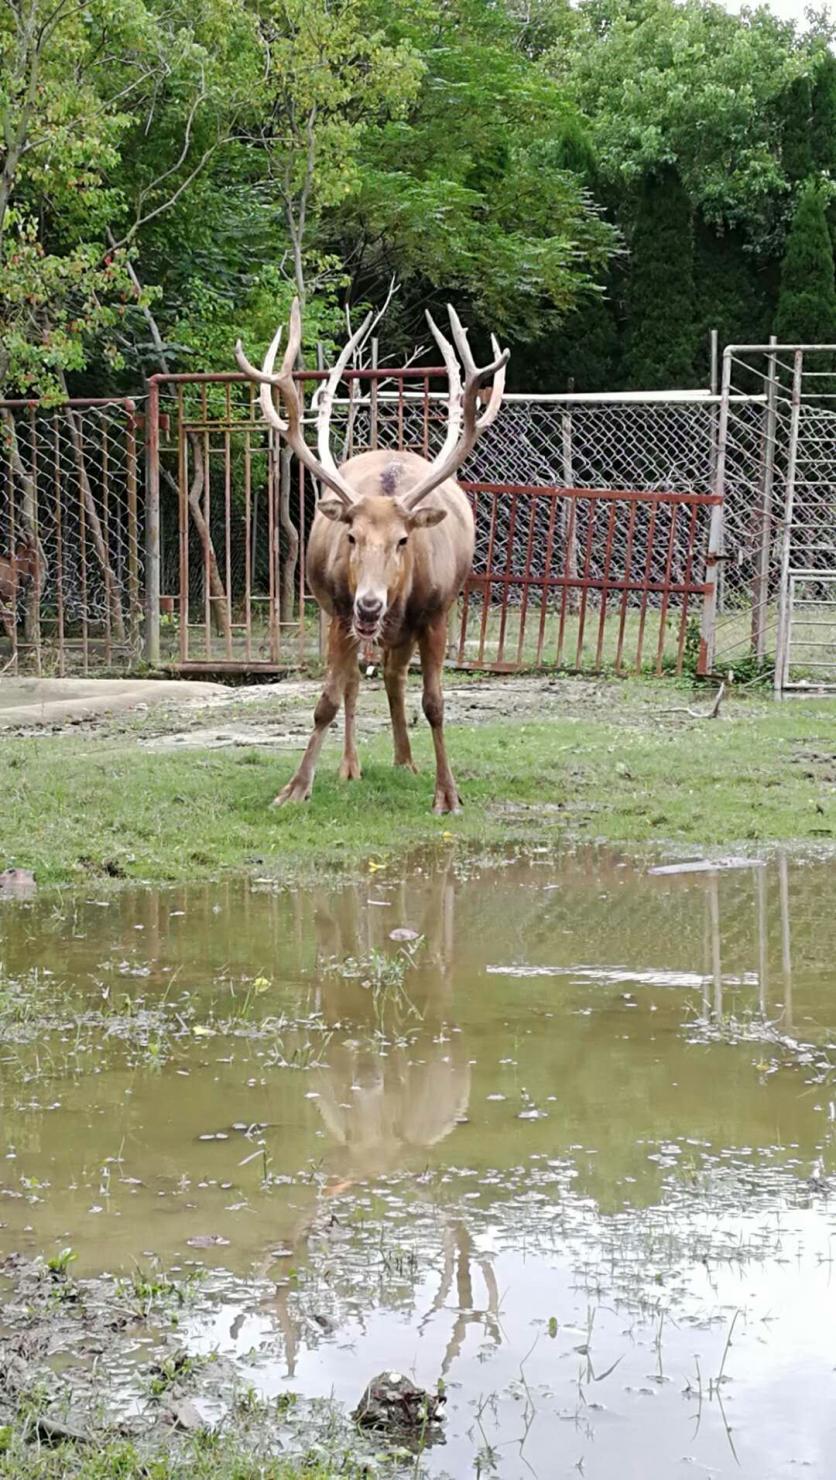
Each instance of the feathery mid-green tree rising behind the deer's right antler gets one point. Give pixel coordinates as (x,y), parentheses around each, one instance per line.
(470,195)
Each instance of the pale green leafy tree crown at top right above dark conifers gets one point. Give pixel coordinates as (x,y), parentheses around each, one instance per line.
(689,85)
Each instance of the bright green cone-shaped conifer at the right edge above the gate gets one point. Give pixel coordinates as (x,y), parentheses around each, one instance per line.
(807,303)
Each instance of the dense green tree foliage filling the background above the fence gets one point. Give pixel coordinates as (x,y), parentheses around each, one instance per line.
(171,177)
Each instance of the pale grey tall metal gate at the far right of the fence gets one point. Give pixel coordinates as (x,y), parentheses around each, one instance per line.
(773,542)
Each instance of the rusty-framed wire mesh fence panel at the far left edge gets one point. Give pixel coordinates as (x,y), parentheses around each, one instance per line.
(70,536)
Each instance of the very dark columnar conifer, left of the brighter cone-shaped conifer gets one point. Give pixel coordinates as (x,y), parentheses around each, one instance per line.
(659,298)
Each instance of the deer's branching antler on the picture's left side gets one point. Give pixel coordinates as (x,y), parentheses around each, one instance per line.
(323,467)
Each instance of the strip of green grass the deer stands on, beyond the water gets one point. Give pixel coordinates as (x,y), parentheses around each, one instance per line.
(615,761)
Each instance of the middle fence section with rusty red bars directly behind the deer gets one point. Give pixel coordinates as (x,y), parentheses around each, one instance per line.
(593,520)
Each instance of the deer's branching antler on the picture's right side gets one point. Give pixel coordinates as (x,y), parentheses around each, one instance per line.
(462,406)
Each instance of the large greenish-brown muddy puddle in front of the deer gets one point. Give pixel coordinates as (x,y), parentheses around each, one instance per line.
(556,1151)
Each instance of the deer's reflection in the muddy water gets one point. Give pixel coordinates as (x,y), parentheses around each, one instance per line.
(396,1084)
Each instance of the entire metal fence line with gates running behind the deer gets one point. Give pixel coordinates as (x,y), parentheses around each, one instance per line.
(627,532)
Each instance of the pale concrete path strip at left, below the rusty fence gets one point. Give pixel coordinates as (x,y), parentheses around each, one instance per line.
(26,702)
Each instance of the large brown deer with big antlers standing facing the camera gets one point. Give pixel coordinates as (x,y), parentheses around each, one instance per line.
(393,548)
